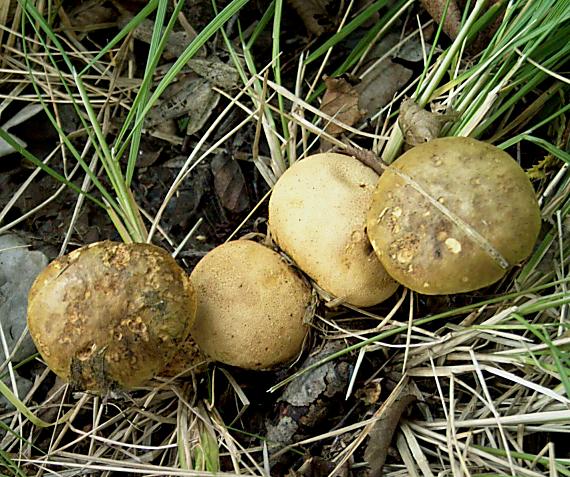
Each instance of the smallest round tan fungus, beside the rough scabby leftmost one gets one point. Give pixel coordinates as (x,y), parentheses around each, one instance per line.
(251,306)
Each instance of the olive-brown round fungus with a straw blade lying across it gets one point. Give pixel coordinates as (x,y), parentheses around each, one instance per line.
(453,215)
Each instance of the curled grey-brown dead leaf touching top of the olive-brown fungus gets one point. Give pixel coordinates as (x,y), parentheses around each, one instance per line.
(418,125)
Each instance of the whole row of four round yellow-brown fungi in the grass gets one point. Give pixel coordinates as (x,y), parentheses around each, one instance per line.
(449,216)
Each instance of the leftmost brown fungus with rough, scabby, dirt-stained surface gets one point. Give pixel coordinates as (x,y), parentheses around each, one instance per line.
(110,315)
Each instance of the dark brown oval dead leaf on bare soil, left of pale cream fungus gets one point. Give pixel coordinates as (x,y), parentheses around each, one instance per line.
(229,183)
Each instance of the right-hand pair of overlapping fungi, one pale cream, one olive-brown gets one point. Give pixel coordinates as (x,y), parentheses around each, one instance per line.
(449,216)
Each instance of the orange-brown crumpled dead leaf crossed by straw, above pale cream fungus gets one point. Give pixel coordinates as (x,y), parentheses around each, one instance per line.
(341,102)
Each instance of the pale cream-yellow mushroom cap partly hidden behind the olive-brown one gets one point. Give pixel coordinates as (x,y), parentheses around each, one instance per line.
(317,215)
